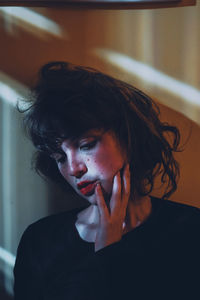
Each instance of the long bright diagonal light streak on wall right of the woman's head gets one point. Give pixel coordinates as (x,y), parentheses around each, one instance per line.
(189,97)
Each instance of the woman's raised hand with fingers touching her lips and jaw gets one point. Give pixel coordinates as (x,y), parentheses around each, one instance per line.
(111,220)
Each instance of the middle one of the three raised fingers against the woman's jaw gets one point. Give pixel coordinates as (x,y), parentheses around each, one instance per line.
(115,200)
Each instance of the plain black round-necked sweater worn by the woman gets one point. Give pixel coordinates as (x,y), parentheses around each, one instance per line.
(160,259)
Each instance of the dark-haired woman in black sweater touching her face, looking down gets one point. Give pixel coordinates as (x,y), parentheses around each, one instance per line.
(103,138)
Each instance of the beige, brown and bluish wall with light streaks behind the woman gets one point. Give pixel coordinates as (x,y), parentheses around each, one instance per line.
(166,40)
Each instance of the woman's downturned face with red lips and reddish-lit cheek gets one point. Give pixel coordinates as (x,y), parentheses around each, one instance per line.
(95,157)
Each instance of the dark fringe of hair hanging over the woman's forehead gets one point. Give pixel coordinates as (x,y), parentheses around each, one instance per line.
(70,120)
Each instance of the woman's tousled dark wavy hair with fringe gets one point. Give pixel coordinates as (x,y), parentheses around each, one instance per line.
(69,100)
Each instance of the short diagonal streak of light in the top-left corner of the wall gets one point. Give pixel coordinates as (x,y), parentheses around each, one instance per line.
(23,17)
